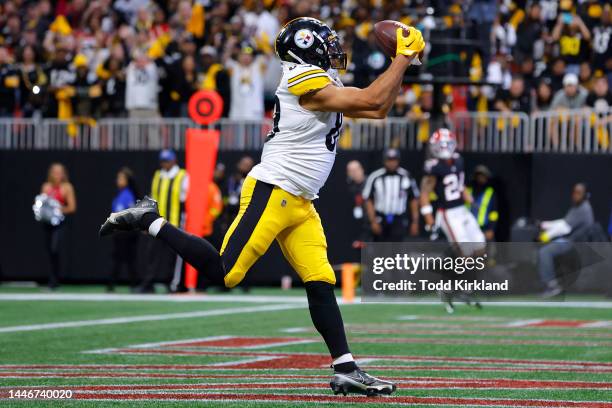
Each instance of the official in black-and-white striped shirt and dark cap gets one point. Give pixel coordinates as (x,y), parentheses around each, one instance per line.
(390,195)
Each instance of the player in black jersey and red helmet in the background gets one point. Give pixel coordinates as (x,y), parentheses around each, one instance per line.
(445,176)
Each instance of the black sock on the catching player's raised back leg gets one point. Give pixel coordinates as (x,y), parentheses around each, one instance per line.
(194,250)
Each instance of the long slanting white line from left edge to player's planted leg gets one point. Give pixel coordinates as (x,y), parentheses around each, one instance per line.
(147,318)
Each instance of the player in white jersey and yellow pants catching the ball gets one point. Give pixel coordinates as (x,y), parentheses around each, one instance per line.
(276,199)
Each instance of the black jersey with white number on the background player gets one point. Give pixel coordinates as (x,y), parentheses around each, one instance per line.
(450,180)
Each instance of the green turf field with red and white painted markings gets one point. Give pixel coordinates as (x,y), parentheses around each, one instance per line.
(261,350)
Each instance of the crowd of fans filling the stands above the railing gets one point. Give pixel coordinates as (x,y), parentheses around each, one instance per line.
(143,58)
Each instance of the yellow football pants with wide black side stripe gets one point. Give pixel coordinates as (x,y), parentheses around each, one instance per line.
(266,213)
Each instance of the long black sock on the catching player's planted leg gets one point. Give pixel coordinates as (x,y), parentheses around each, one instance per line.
(327,319)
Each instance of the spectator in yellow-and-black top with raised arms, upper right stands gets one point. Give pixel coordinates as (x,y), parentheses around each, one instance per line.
(573,38)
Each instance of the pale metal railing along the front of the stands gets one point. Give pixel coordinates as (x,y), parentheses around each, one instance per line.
(572,131)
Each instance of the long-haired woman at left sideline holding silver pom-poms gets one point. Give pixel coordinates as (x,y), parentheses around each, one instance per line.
(58,187)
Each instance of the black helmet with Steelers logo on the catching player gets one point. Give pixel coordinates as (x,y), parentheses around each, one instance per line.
(306,40)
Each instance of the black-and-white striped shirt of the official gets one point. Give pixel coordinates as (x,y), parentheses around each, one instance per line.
(390,191)
